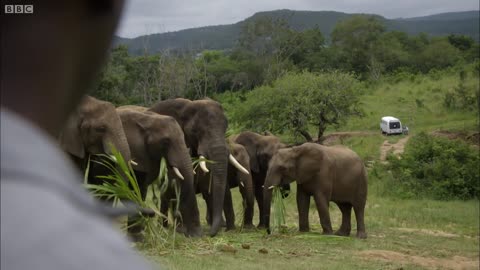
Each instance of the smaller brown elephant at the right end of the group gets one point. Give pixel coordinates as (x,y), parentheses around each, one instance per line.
(328,174)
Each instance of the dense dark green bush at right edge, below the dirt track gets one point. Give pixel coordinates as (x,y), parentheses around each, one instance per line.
(441,168)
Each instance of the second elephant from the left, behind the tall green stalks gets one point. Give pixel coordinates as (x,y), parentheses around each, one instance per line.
(152,136)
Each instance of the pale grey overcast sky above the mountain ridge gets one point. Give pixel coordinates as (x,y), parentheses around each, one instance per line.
(157,16)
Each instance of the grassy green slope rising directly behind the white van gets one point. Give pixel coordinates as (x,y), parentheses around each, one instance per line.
(399,99)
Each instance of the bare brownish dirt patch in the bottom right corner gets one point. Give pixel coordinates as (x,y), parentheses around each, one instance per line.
(455,262)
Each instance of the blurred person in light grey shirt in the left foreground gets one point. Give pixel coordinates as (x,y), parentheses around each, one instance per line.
(48,58)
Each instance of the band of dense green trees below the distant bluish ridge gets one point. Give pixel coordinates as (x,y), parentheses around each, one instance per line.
(268,49)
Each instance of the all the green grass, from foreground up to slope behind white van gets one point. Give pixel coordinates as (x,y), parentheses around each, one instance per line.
(410,233)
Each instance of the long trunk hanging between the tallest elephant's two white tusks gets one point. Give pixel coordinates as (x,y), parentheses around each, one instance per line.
(219,154)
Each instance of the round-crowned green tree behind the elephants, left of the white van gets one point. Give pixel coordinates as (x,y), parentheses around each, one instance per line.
(297,101)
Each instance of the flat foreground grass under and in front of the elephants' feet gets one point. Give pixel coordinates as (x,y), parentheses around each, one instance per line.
(449,229)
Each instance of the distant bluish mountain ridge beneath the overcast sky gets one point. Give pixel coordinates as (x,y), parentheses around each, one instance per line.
(222,37)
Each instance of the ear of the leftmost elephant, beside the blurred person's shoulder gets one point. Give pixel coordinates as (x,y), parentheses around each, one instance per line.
(71,139)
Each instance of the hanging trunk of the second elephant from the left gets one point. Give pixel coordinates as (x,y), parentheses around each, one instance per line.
(188,201)
